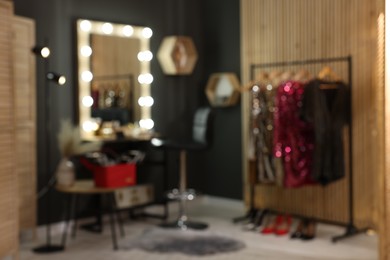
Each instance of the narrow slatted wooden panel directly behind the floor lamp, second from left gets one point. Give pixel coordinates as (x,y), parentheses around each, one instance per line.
(25,117)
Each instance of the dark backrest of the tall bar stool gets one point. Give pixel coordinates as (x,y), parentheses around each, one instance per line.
(202,125)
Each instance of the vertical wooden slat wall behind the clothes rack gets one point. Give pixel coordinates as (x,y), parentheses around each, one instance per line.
(287,30)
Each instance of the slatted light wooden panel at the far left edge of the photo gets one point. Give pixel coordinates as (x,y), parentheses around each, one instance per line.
(8,179)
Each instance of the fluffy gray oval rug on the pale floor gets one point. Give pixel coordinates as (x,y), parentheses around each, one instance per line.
(189,242)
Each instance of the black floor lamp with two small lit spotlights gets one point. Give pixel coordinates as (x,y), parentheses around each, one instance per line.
(44,52)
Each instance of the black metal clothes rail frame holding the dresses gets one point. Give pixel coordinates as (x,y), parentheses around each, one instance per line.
(351,229)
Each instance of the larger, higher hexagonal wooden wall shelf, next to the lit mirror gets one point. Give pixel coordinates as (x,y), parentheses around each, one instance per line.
(177,55)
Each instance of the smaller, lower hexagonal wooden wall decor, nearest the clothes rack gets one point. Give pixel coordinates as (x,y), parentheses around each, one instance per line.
(223,89)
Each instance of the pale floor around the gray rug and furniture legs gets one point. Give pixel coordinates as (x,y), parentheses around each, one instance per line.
(219,214)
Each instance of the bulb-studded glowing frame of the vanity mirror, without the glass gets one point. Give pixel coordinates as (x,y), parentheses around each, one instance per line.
(85,28)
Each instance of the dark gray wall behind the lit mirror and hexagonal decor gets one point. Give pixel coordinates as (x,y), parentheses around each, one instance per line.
(215,31)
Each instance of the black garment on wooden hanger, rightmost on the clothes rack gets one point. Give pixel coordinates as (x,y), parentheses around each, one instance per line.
(327,106)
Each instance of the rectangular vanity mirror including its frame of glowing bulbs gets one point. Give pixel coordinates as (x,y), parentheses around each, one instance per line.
(114,75)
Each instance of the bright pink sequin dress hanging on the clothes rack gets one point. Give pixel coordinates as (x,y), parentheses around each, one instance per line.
(293,138)
